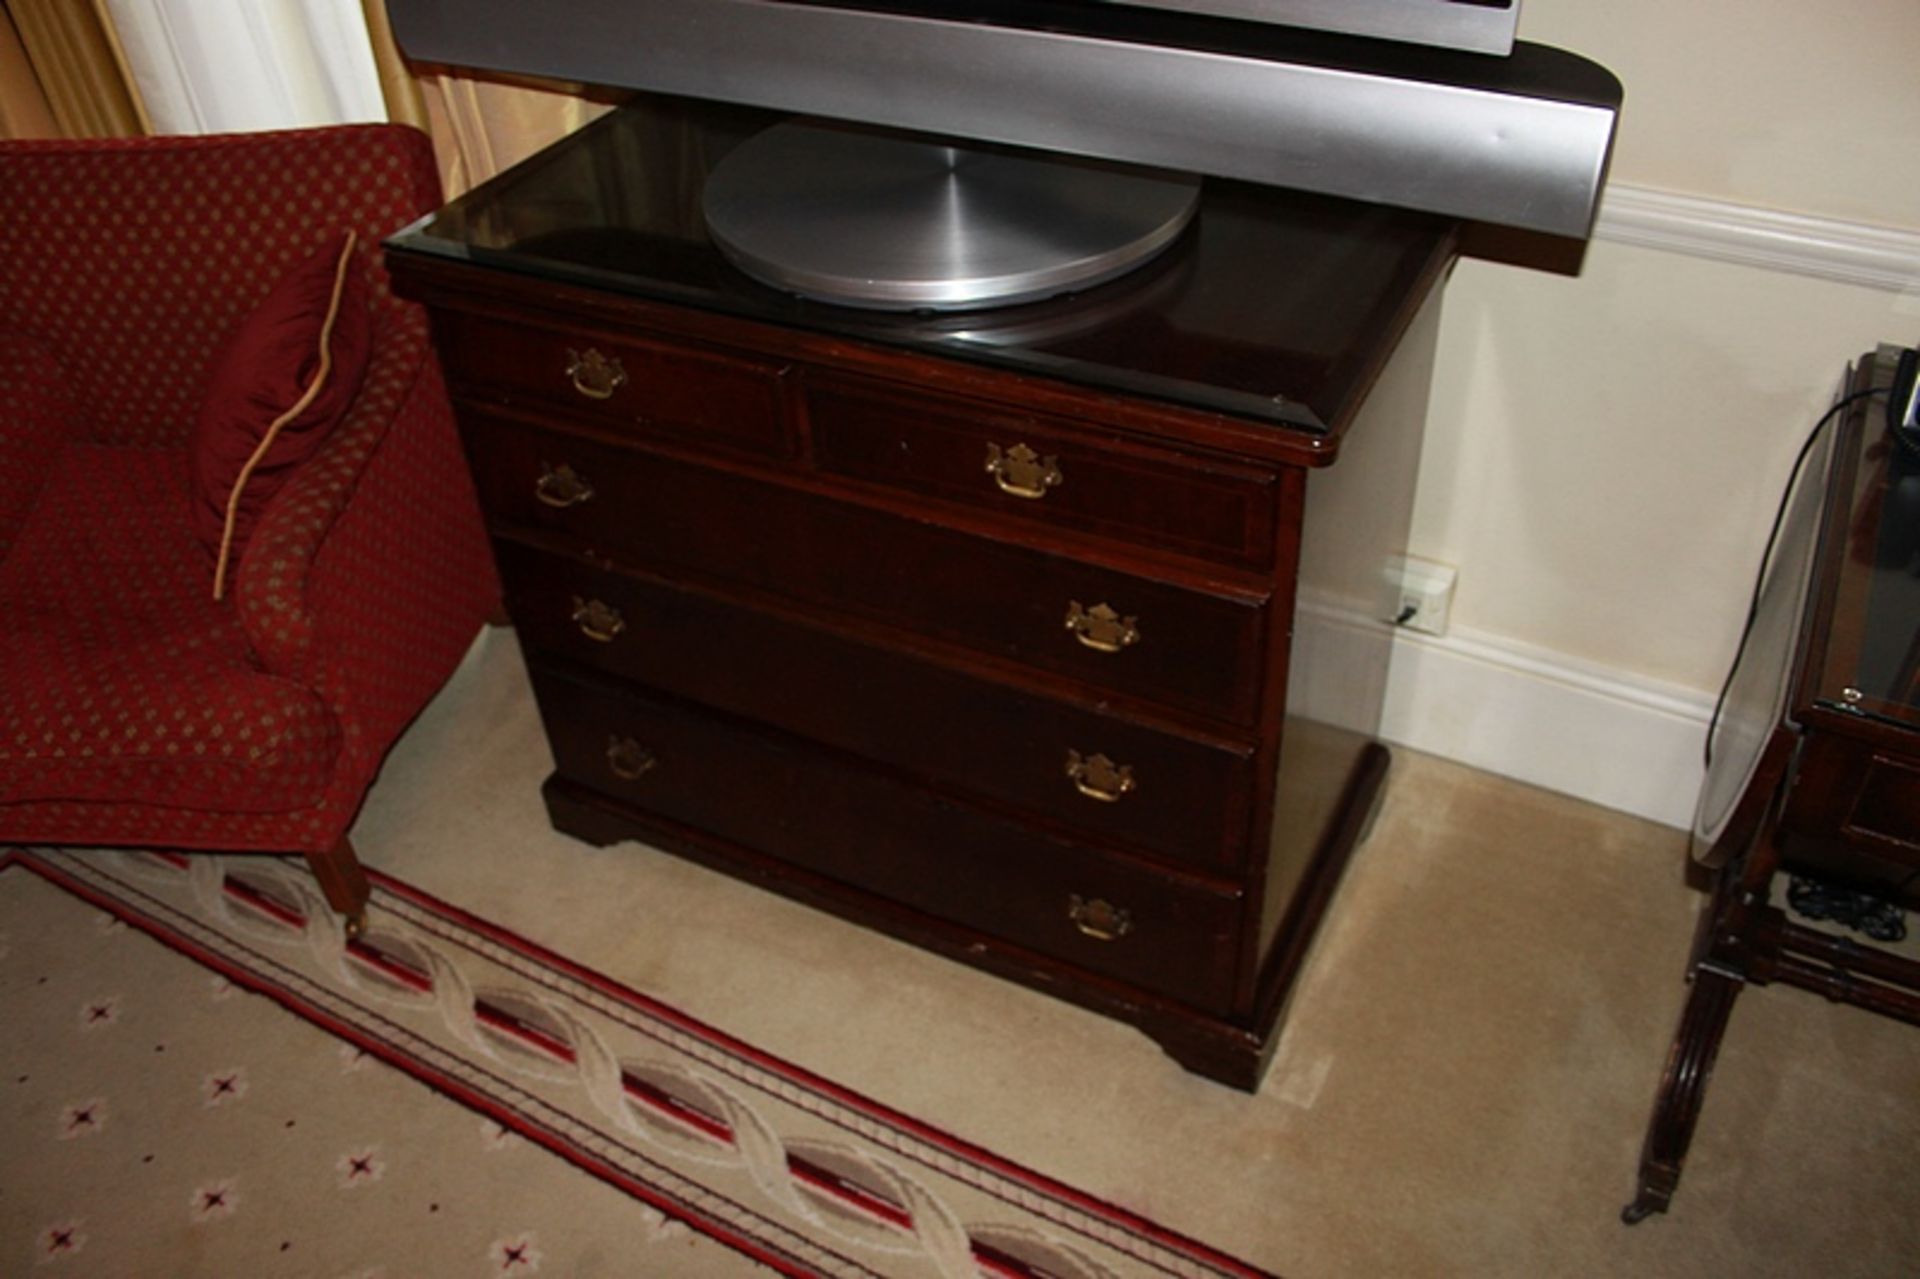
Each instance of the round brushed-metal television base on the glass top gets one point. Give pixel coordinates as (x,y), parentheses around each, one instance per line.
(871,220)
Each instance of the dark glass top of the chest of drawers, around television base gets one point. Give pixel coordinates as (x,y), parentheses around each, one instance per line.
(1274,306)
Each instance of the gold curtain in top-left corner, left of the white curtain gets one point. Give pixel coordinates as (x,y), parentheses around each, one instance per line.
(78,66)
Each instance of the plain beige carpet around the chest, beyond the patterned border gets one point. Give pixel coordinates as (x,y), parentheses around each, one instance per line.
(1462,1086)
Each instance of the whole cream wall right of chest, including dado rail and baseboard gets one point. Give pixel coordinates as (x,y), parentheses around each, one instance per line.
(1604,452)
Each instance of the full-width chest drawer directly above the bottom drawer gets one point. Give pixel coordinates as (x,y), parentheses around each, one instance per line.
(1182,800)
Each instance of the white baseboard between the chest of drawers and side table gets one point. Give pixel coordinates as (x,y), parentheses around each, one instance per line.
(1552,721)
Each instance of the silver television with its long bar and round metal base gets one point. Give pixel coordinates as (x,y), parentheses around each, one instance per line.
(1044,147)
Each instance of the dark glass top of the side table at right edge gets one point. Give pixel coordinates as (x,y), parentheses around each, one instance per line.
(1873,664)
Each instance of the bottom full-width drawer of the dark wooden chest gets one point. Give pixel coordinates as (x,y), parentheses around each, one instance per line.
(805,808)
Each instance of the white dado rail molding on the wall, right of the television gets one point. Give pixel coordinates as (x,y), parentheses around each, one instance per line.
(1758,237)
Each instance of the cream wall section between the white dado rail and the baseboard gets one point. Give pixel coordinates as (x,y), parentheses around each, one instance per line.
(1604,454)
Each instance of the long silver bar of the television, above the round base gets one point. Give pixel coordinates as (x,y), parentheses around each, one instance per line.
(1520,141)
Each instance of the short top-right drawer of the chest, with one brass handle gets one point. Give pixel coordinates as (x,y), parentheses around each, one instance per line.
(1045,471)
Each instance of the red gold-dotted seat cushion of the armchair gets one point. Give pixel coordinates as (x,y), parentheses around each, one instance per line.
(122,683)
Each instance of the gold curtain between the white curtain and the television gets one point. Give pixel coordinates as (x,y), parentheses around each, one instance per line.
(479,124)
